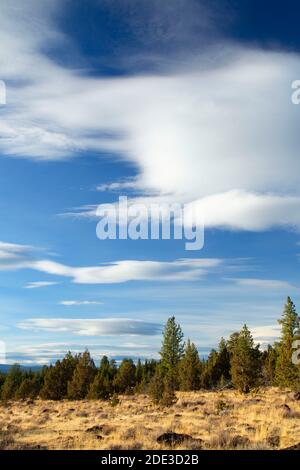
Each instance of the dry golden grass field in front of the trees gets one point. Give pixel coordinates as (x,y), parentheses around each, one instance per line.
(214,420)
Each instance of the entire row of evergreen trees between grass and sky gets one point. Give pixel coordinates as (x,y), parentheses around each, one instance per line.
(237,363)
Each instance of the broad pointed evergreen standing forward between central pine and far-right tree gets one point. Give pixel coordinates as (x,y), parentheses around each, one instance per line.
(245,362)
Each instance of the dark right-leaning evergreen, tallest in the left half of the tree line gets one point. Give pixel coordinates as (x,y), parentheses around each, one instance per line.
(83,376)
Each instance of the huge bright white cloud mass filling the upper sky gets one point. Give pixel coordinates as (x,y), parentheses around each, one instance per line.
(221,132)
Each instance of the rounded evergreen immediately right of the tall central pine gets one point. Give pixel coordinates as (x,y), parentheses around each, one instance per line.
(190,368)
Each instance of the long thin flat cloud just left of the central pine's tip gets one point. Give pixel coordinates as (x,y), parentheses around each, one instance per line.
(92,327)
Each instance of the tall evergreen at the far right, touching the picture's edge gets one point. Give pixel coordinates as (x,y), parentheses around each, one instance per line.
(287,374)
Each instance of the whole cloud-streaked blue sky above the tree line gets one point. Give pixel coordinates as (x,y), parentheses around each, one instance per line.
(183,100)
